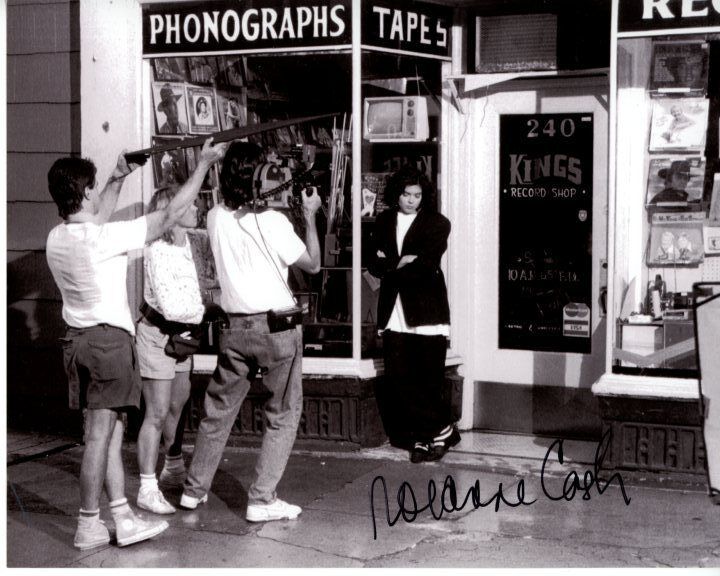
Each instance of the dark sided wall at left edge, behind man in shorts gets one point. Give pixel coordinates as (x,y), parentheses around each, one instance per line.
(43,124)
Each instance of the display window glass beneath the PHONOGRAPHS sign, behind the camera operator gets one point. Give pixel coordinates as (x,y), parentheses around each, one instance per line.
(206,94)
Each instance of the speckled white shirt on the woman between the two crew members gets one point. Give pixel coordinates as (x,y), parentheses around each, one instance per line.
(171,282)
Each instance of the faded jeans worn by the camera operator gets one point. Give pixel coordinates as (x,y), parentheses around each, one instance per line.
(247,343)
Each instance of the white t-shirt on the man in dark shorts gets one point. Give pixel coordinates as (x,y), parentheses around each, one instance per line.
(89,264)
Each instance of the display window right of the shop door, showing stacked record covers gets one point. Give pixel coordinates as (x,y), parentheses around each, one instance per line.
(667,198)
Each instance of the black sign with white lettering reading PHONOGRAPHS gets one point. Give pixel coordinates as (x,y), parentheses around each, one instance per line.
(234,26)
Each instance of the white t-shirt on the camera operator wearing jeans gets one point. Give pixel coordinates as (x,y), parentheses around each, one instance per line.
(252,265)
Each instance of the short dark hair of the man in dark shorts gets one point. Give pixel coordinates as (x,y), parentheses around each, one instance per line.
(67,180)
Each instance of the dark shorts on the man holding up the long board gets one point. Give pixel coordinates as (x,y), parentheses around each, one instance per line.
(102,368)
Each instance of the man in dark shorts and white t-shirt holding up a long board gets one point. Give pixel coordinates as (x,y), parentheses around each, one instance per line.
(87,256)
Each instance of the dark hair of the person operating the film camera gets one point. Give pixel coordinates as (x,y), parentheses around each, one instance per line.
(236,174)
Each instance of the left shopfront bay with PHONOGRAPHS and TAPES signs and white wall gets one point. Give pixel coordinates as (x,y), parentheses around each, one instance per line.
(352,107)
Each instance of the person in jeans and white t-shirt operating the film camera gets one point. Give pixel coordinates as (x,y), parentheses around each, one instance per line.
(253,247)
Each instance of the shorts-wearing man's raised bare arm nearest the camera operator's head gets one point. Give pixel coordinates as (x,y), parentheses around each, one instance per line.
(160,221)
